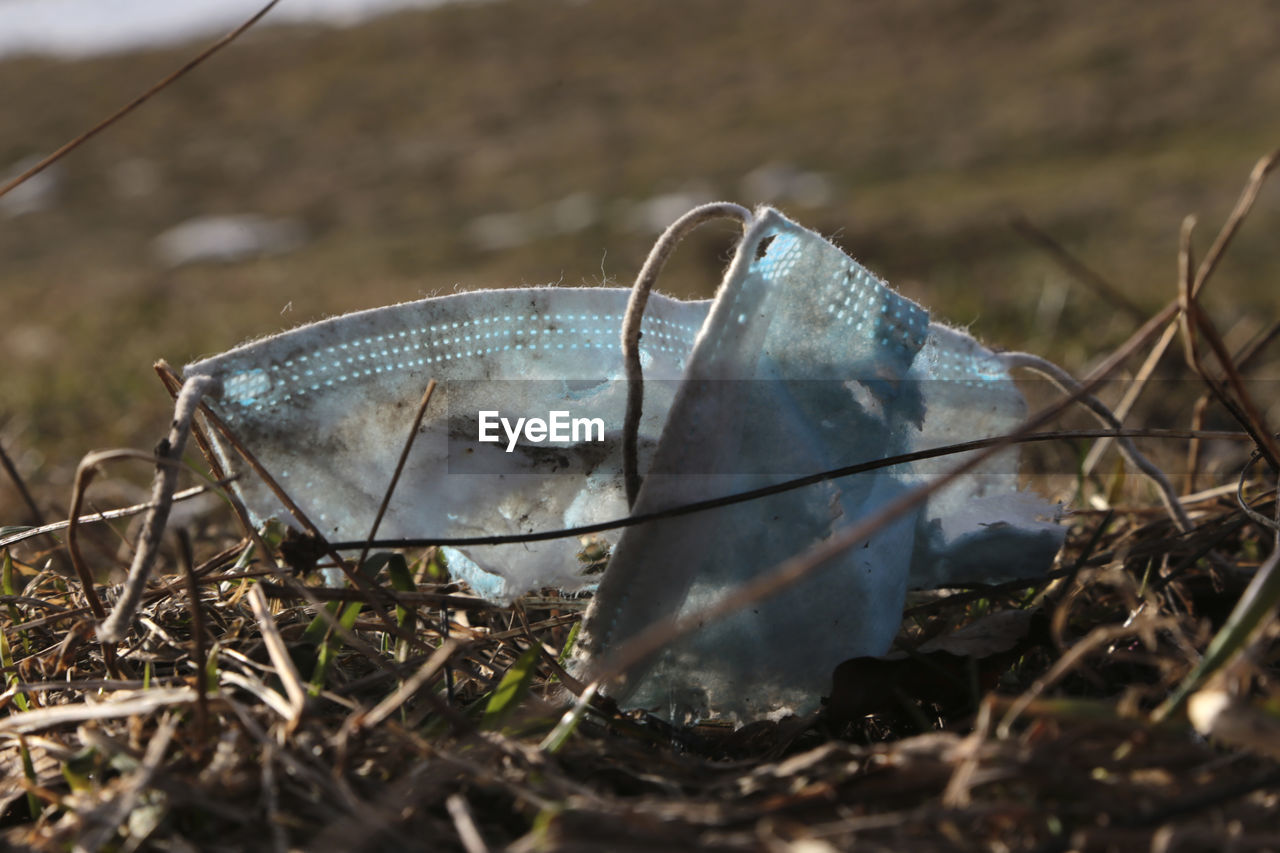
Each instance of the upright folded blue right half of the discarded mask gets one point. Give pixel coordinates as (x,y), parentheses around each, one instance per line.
(808,362)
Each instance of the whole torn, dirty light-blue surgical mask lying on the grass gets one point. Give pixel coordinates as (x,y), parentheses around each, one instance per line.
(806,362)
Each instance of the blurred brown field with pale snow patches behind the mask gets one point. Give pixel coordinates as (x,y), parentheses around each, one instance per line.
(358,154)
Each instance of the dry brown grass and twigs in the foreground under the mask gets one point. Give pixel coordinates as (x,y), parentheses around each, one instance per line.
(1127,700)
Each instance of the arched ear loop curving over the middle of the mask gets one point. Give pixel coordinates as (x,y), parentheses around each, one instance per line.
(659,256)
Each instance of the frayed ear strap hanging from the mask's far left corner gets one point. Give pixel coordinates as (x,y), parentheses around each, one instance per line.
(163,487)
